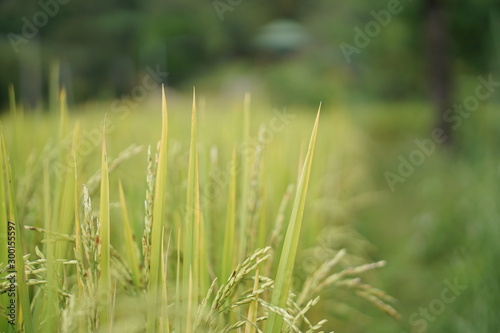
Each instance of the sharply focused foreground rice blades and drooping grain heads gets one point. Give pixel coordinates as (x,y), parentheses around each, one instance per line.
(94,285)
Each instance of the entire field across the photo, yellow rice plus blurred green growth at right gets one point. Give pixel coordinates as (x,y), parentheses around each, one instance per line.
(203,216)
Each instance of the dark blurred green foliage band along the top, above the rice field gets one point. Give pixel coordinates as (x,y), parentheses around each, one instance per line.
(291,49)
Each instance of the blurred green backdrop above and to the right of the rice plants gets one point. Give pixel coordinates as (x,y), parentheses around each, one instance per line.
(440,224)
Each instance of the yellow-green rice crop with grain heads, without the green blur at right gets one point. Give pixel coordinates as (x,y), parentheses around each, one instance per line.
(190,229)
